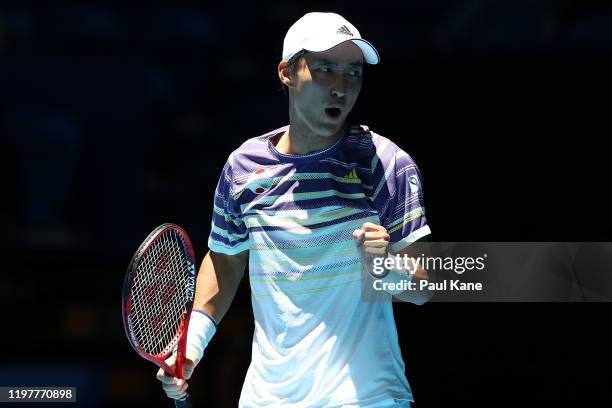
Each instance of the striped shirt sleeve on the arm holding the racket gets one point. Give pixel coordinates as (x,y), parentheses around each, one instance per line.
(229,234)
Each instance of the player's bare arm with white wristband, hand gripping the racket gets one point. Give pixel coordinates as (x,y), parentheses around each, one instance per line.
(218,280)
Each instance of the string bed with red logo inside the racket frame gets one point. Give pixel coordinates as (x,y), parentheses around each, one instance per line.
(159,295)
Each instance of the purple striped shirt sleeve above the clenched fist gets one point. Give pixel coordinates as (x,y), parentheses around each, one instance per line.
(399,197)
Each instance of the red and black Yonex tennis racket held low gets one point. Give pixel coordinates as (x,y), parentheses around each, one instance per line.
(158,296)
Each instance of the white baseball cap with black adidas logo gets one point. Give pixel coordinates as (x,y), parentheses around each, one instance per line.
(322,31)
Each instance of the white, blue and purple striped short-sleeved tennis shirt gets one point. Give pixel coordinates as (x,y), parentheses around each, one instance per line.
(317,343)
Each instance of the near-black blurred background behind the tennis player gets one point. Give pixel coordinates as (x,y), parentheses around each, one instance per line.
(116,117)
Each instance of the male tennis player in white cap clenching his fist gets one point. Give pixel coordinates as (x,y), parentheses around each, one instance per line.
(307,205)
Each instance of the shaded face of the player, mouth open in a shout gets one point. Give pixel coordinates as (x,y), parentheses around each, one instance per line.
(327,86)
